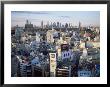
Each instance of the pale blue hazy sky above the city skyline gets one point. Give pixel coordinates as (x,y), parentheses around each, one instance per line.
(87,18)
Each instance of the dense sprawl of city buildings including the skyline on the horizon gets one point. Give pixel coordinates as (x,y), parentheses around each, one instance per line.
(55,50)
